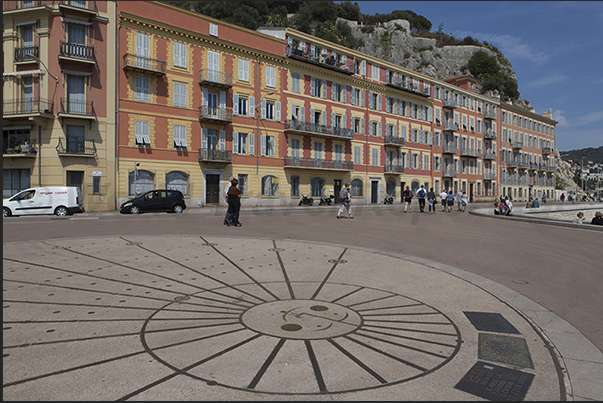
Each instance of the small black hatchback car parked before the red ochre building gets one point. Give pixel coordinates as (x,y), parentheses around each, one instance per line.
(171,201)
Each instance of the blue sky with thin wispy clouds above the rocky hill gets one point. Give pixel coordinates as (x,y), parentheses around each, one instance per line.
(555,49)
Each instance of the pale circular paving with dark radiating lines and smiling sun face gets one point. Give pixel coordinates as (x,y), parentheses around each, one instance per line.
(178,317)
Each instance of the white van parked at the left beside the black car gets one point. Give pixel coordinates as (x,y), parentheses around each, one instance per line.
(59,200)
